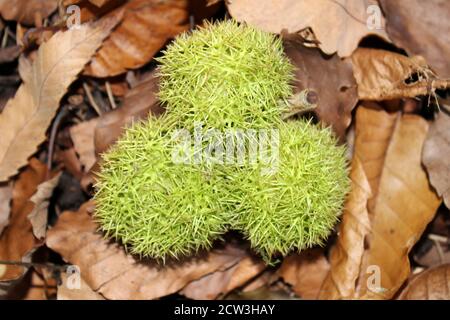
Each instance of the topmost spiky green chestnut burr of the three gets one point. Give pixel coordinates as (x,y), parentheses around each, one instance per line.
(225,75)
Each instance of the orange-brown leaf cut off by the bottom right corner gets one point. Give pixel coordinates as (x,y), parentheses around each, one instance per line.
(431,284)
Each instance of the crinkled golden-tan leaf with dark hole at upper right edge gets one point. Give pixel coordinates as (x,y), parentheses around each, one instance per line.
(383,75)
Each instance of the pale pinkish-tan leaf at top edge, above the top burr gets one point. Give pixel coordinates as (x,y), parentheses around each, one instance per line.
(338,25)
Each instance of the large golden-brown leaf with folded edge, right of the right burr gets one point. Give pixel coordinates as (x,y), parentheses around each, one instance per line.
(376,238)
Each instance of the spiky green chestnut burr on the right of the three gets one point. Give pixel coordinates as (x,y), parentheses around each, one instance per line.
(296,205)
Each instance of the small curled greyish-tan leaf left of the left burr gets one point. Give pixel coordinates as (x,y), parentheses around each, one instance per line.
(41,199)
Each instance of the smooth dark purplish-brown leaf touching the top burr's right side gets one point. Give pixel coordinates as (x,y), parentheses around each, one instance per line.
(330,78)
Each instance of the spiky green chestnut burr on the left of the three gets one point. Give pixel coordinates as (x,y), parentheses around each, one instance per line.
(155,207)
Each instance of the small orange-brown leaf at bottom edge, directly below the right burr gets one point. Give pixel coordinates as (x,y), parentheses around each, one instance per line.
(305,272)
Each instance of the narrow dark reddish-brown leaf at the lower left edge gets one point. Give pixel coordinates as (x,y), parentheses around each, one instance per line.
(17,240)
